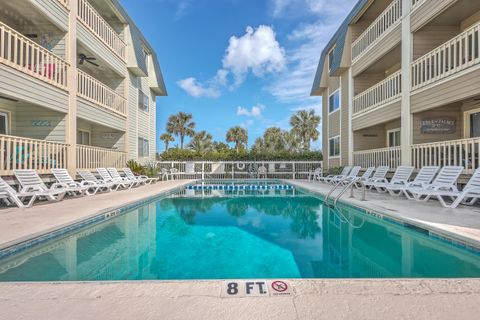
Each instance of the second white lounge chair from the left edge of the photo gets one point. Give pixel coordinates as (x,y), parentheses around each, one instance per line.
(31,182)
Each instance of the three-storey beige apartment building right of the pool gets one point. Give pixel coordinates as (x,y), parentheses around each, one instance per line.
(400,84)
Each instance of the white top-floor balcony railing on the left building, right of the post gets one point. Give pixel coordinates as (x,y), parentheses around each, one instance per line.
(98,26)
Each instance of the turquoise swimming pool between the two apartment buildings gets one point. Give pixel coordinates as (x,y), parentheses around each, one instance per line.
(217,233)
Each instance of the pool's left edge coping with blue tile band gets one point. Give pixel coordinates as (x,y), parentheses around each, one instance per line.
(10,248)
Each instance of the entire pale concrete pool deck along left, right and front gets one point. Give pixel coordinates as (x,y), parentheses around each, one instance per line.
(310,299)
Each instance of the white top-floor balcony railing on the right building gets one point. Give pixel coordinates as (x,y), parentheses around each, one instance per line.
(385,22)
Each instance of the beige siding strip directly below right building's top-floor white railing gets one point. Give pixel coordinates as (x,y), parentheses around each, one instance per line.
(380,48)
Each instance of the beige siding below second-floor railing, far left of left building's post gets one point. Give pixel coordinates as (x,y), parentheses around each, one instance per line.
(21,86)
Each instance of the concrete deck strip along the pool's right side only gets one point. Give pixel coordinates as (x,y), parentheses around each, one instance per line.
(462,224)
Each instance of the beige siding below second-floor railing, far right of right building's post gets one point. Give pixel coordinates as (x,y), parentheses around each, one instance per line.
(458,87)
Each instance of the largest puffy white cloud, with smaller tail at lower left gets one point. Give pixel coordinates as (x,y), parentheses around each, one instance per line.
(257,51)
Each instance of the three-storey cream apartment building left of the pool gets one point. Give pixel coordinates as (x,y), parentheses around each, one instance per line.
(78,86)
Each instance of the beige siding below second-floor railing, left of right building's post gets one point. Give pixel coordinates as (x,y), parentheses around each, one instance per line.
(382,114)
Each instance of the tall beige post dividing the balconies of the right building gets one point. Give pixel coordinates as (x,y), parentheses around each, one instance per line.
(407,57)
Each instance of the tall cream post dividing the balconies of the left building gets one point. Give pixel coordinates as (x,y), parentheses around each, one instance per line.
(71,131)
